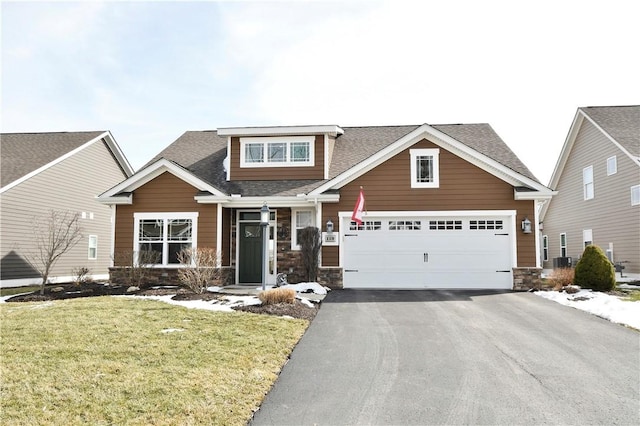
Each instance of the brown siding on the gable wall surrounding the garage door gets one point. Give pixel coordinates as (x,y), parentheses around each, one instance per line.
(463,186)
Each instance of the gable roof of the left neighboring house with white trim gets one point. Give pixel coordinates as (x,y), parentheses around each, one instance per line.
(26,154)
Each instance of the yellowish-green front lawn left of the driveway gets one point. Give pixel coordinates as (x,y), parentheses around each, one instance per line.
(109,360)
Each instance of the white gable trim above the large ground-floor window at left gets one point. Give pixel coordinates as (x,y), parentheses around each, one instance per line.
(153,171)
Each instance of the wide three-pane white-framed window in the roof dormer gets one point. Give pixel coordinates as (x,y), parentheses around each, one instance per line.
(290,151)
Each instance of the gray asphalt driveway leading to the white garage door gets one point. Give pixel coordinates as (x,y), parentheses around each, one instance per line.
(456,357)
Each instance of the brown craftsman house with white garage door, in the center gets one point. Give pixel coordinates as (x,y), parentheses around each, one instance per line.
(446,206)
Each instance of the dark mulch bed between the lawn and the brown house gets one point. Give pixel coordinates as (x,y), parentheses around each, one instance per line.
(92,289)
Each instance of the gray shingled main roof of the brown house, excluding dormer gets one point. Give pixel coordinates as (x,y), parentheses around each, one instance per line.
(202,153)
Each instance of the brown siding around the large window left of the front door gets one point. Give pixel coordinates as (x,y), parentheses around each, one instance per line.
(166,193)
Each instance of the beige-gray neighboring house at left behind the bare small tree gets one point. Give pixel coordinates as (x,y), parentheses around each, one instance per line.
(56,171)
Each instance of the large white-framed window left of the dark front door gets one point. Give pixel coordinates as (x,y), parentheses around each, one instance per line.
(160,237)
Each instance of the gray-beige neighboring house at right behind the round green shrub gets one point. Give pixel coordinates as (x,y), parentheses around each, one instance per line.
(598,181)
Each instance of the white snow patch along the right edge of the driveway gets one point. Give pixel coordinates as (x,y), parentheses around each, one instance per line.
(603,305)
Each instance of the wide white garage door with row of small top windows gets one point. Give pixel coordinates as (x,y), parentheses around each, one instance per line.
(428,252)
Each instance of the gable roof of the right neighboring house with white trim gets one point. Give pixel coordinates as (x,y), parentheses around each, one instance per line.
(619,124)
